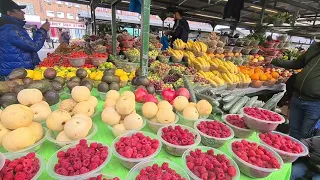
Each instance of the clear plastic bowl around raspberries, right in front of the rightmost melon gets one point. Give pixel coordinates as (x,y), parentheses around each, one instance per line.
(211,141)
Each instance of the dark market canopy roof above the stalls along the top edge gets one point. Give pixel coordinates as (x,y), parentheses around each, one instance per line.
(211,11)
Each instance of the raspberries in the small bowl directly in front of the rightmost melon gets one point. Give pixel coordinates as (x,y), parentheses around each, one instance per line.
(214,128)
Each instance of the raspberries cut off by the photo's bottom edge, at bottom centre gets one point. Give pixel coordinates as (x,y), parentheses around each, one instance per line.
(163,172)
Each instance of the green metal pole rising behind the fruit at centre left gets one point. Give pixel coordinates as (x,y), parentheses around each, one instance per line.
(145,28)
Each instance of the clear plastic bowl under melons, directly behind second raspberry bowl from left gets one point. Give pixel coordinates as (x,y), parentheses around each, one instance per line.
(51,136)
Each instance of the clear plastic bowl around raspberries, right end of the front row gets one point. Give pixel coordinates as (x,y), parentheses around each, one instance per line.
(250,169)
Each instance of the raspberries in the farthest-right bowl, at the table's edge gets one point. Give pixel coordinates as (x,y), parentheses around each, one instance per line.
(280,142)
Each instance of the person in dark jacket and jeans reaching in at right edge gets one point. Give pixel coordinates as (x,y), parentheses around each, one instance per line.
(305,103)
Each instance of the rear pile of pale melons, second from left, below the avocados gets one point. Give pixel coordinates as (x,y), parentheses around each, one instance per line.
(80,103)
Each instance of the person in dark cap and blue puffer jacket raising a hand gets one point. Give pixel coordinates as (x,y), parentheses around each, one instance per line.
(17,48)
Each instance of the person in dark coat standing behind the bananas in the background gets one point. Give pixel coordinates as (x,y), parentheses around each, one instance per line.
(181,27)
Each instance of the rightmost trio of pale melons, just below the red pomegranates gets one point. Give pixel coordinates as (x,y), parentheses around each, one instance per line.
(190,110)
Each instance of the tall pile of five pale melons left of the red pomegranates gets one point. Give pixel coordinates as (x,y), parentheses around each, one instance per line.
(120,112)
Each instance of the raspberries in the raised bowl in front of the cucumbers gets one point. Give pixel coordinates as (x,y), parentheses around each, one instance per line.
(262,114)
